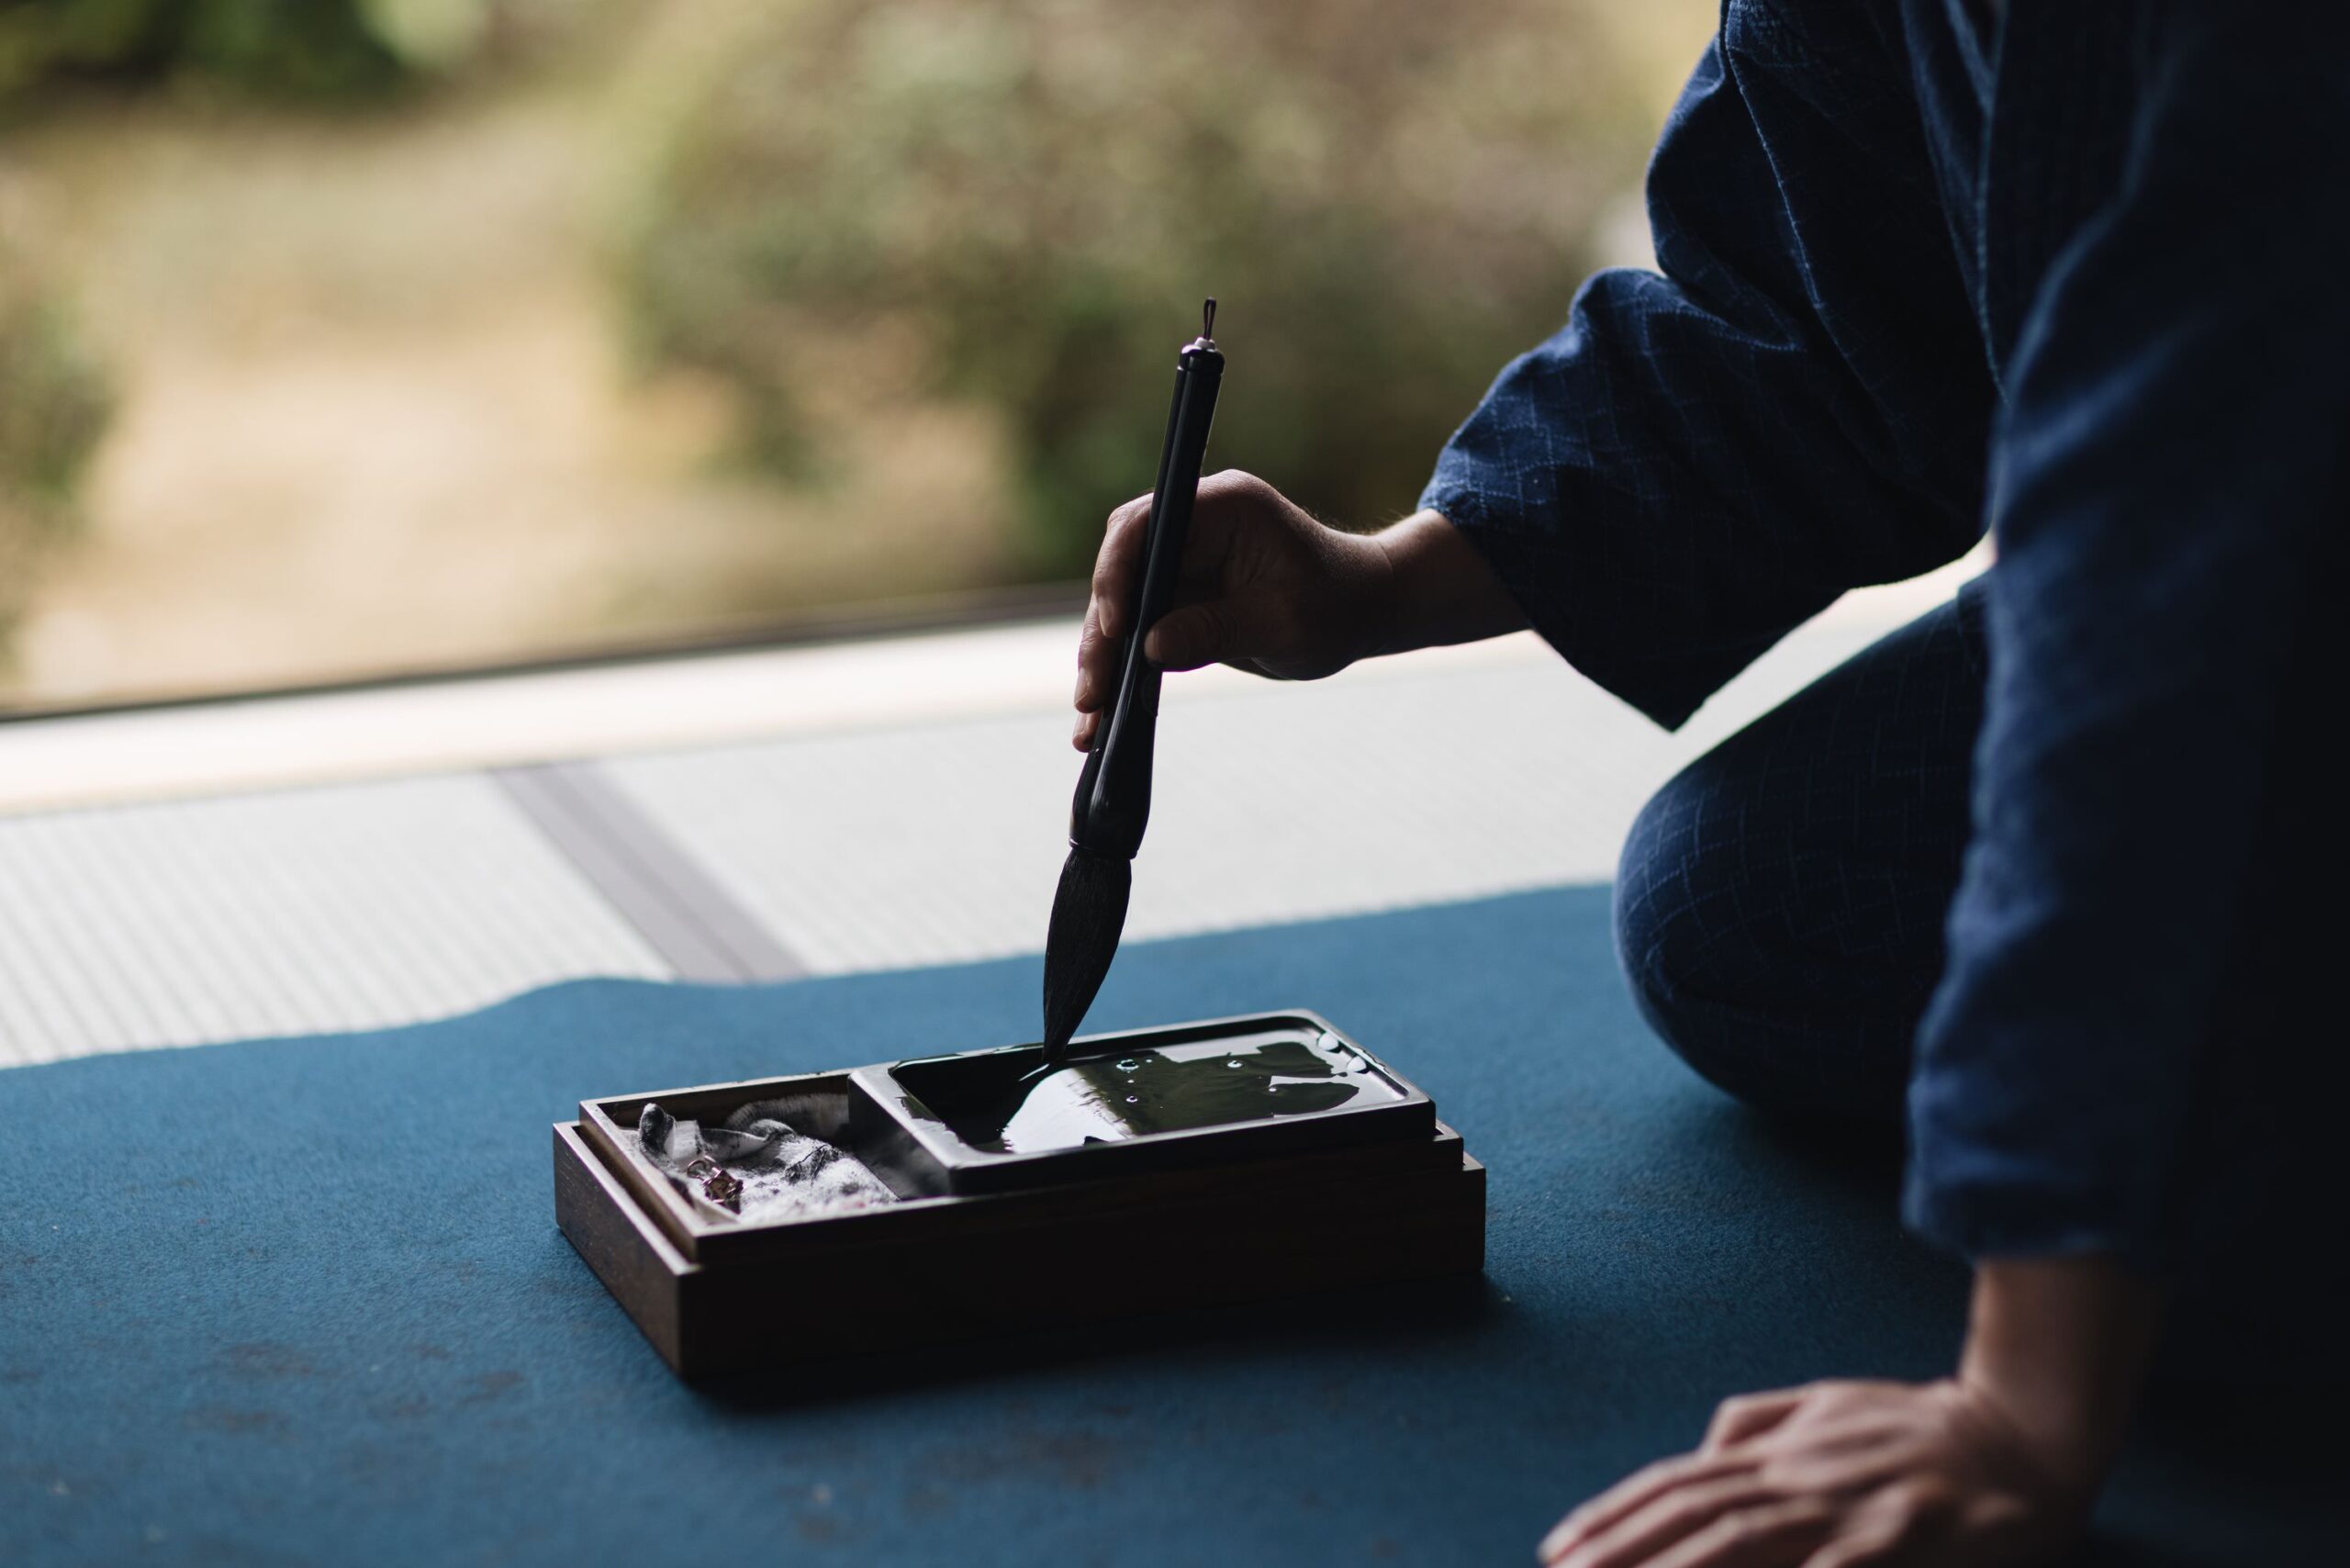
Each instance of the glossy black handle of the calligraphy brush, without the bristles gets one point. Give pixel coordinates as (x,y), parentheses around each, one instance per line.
(1115,791)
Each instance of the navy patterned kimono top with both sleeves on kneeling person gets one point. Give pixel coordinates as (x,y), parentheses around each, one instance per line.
(2079,274)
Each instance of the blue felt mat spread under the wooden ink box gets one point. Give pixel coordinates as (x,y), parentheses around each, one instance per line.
(307,1304)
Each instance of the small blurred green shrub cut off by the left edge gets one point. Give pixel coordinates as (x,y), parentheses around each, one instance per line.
(53,410)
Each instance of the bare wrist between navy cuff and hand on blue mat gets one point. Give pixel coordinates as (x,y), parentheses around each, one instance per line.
(2060,1346)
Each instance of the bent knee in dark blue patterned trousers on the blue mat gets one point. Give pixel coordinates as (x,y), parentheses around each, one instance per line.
(1780,904)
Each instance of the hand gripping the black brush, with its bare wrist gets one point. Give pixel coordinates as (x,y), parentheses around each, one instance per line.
(1273,591)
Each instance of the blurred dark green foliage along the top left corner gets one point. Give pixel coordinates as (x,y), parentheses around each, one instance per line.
(278,48)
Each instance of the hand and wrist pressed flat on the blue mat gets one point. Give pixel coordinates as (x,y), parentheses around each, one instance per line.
(1994,1466)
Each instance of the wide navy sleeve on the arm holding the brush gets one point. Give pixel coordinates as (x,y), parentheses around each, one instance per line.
(1710,455)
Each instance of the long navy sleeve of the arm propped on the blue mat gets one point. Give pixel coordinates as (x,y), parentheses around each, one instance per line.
(2170,502)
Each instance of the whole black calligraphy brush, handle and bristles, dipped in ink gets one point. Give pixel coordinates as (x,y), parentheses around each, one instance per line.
(1115,791)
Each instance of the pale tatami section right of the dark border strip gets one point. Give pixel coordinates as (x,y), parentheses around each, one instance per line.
(944,845)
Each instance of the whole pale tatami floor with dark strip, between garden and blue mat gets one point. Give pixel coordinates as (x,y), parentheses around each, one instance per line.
(852,824)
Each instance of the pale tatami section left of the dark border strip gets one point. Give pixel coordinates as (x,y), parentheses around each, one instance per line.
(286,913)
